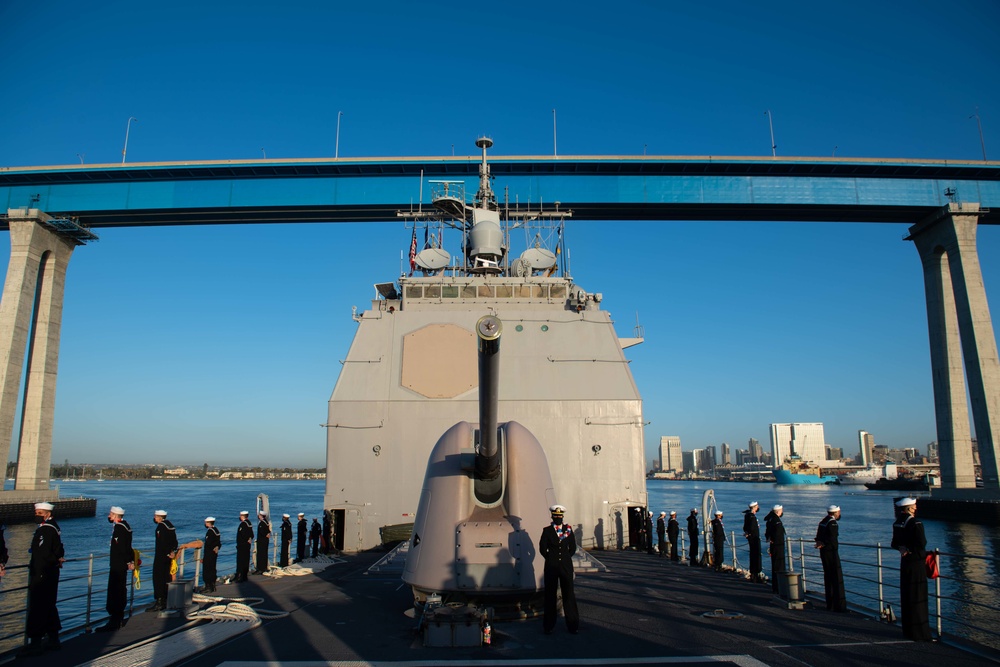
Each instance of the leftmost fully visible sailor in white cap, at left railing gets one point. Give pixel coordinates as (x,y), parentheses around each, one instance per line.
(47,556)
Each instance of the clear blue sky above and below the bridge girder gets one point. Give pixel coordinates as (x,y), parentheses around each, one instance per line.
(221,344)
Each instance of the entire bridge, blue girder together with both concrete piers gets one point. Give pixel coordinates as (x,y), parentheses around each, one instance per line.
(52,210)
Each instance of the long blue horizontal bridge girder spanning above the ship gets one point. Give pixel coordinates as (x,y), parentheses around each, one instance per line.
(593,187)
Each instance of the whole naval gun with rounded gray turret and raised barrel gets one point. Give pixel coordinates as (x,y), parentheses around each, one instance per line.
(483,505)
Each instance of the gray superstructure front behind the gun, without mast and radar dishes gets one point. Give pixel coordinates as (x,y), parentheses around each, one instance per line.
(411,374)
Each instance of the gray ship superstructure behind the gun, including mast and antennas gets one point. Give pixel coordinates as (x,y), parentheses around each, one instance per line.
(411,371)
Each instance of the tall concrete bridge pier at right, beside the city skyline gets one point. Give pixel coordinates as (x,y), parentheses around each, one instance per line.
(959,327)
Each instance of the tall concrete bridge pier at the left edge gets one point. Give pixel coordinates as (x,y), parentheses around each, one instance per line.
(30,319)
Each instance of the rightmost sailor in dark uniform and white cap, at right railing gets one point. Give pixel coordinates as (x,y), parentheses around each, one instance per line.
(908,538)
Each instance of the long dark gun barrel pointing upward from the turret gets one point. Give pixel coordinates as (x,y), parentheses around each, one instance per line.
(488,330)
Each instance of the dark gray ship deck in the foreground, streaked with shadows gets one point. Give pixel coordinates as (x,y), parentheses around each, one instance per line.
(642,610)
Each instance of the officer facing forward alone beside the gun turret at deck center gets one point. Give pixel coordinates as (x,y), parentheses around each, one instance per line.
(557,546)
